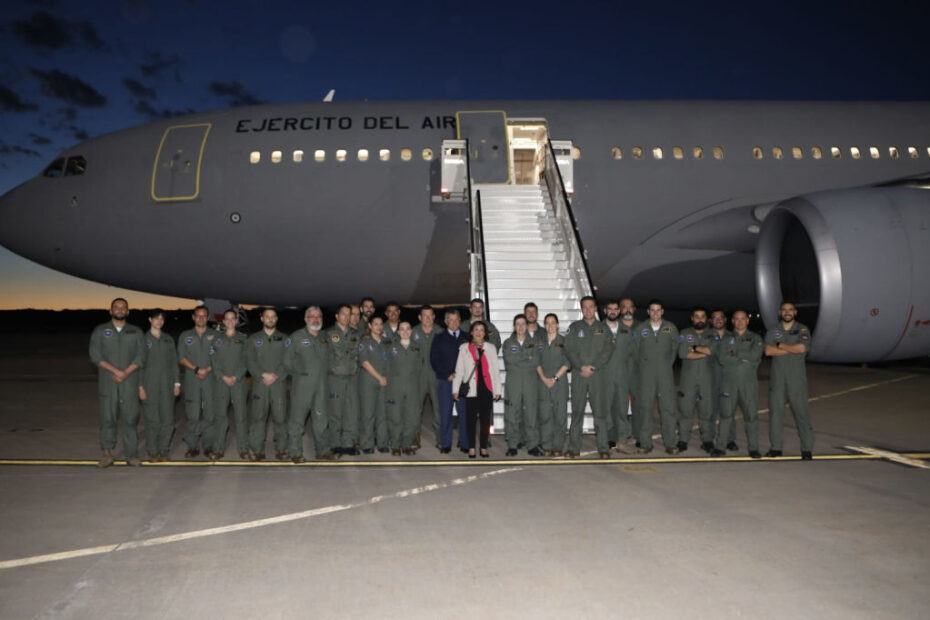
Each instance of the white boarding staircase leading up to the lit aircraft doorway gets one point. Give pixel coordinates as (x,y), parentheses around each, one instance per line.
(526,247)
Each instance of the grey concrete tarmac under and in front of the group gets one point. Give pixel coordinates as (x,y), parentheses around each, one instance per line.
(844,536)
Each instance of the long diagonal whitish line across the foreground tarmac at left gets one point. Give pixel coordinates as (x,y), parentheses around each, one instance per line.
(248,525)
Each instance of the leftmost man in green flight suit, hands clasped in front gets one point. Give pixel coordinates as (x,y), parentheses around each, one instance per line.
(116,350)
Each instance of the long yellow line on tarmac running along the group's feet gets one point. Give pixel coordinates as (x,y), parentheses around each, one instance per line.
(481,463)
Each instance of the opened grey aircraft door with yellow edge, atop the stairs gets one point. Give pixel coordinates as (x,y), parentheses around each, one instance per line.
(488,150)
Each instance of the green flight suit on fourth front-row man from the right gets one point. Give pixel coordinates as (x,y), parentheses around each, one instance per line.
(654,353)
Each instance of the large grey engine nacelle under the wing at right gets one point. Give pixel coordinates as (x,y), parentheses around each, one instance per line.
(857,264)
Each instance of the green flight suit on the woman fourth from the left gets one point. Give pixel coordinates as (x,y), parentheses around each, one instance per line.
(228,359)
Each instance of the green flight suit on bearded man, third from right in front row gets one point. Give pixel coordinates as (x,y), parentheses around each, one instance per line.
(695,385)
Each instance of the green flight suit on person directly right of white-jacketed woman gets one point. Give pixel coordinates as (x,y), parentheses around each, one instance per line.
(521,407)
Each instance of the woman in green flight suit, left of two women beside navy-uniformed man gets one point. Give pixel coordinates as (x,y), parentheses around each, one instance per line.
(372,392)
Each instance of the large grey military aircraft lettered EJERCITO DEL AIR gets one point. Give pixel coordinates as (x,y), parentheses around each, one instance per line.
(735,204)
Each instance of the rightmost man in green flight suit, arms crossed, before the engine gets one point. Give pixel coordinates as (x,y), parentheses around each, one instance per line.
(788,344)
